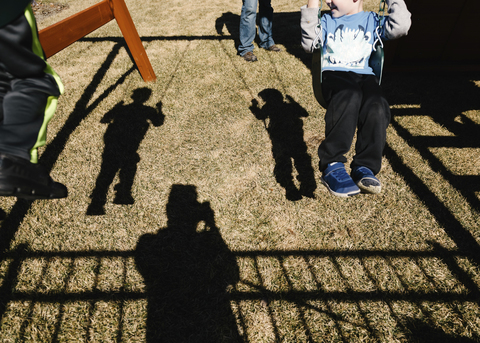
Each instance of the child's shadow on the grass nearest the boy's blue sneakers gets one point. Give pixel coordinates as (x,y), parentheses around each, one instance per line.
(285,129)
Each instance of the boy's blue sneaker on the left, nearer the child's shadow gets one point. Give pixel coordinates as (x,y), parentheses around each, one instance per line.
(338,182)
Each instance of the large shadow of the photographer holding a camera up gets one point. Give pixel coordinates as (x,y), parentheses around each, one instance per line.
(188,268)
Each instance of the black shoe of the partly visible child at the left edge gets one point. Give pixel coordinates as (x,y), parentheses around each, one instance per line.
(22,179)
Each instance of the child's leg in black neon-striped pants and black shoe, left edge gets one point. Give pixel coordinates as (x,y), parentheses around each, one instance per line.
(29,89)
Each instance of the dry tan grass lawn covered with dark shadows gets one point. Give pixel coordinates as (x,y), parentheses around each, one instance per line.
(196,211)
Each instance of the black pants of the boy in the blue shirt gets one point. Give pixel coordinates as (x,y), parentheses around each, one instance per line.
(354,101)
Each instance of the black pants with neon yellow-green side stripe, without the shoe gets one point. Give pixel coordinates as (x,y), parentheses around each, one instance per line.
(28,88)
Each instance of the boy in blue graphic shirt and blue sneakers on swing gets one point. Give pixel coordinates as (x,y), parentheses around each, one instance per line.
(355,101)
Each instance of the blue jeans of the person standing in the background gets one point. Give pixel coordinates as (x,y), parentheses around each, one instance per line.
(248,25)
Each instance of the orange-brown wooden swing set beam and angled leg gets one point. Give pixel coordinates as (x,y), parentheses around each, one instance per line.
(60,35)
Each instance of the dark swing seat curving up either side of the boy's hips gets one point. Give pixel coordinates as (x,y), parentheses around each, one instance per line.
(376,63)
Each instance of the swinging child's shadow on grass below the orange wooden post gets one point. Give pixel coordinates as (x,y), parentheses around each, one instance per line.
(127,127)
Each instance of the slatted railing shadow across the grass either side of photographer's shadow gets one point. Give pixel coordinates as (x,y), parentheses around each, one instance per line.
(311,296)
